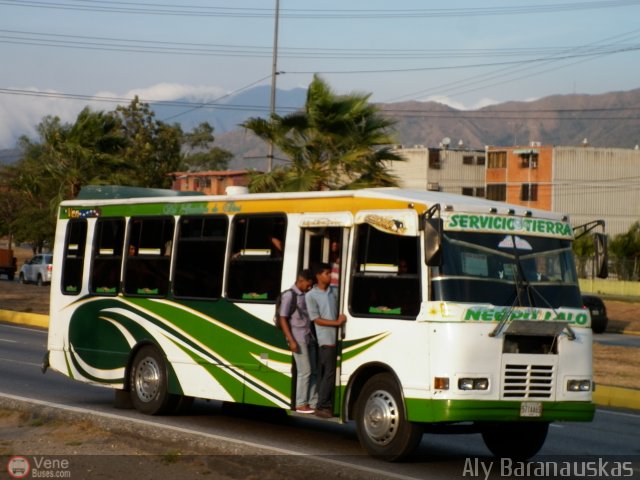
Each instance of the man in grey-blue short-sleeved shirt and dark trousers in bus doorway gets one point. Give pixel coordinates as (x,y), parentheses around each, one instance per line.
(322,304)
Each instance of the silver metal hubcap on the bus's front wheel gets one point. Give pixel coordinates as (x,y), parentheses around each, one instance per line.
(381,417)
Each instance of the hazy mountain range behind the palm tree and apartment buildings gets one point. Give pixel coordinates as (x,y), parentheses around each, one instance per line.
(603,120)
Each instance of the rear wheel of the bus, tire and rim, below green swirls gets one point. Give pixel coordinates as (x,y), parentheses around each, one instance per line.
(148,383)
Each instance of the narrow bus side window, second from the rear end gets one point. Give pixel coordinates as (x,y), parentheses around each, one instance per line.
(107,256)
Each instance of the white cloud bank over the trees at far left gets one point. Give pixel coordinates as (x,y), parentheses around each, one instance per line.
(20,113)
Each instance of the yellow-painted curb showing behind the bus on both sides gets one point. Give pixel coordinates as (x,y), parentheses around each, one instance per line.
(604,395)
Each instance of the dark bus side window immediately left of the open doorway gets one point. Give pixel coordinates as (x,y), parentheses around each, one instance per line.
(255,266)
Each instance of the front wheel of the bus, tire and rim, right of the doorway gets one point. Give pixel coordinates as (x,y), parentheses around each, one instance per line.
(381,422)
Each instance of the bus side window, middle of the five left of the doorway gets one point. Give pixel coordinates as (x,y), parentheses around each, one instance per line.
(148,260)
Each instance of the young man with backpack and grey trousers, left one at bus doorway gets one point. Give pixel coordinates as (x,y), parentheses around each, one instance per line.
(301,340)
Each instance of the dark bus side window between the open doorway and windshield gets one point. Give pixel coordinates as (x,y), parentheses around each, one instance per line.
(386,278)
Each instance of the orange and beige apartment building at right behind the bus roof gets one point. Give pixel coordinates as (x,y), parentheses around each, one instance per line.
(585,182)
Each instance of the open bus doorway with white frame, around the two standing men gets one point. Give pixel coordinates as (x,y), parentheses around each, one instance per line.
(325,239)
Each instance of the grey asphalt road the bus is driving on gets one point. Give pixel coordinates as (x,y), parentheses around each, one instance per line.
(439,456)
